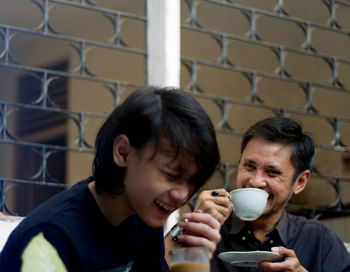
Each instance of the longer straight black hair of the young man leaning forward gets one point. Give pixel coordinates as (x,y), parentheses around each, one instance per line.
(148,115)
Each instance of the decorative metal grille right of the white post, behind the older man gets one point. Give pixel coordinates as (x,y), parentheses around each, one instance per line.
(208,21)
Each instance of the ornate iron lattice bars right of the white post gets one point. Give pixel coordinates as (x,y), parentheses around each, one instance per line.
(199,10)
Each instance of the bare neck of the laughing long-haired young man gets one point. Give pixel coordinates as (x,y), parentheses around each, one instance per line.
(114,208)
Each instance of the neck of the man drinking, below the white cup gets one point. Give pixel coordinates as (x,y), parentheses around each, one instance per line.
(264,225)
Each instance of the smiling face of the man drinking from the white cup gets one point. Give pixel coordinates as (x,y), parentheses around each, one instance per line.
(266,165)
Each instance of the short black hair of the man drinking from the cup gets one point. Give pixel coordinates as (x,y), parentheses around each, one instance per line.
(286,131)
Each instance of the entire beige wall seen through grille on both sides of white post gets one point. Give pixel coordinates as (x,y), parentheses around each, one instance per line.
(92,97)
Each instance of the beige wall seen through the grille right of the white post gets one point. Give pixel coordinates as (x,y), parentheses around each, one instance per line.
(276,92)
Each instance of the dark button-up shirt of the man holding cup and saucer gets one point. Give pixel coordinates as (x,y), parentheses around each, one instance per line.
(317,247)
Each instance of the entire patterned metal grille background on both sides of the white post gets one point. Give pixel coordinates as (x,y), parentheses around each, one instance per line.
(237,58)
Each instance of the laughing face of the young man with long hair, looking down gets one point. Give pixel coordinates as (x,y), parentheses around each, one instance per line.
(156,185)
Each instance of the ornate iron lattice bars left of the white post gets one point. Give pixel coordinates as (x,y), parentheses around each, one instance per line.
(43,102)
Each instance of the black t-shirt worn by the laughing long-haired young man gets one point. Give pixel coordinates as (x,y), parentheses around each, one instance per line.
(72,222)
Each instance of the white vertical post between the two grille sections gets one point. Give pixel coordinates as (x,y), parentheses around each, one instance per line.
(163,43)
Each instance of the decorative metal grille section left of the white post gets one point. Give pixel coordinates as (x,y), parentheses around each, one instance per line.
(43,105)
